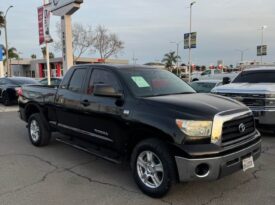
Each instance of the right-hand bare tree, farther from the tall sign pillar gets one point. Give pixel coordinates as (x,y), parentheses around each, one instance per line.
(106,43)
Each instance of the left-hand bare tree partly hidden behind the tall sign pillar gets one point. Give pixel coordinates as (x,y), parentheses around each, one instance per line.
(82,39)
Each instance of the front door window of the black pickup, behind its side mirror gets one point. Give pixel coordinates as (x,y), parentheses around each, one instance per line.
(103,77)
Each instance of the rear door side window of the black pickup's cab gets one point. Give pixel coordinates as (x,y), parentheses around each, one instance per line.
(77,79)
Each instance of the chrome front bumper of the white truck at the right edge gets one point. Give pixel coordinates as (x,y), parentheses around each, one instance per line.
(263,115)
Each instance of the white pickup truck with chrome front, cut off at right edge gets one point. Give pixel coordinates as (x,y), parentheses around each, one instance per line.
(255,88)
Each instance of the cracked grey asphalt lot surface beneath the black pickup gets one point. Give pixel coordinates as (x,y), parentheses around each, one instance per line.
(59,174)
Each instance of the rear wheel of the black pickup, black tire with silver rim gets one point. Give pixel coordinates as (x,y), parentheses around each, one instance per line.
(38,133)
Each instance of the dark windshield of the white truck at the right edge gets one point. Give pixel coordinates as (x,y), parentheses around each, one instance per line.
(264,76)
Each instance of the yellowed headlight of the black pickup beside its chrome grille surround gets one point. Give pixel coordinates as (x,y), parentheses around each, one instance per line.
(195,128)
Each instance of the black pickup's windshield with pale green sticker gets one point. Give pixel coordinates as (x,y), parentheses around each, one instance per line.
(154,82)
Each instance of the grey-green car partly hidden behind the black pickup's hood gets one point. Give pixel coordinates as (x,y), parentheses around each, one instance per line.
(205,86)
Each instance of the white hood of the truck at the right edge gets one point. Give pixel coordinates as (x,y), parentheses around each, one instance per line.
(255,88)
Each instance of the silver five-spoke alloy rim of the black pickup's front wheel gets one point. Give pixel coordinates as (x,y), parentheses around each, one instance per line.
(150,169)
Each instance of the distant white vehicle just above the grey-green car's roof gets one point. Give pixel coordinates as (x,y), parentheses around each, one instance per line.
(211,74)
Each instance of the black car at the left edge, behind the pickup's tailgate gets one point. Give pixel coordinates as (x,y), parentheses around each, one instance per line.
(9,86)
